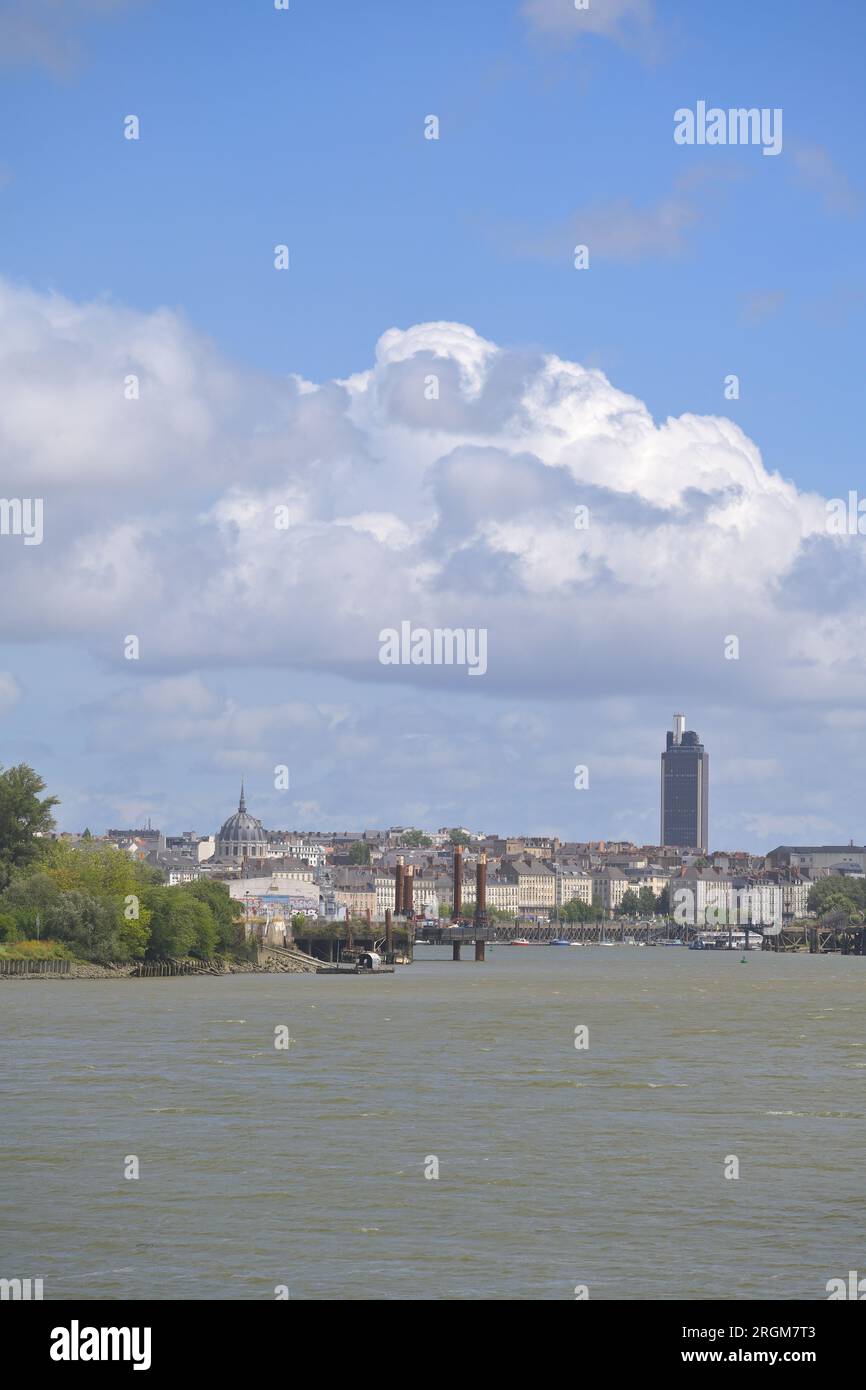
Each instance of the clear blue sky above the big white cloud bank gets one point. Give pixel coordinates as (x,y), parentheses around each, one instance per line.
(305,127)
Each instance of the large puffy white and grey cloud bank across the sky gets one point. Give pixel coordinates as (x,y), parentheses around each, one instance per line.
(457,512)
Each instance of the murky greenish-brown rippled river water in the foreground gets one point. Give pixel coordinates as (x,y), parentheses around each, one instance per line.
(305,1168)
